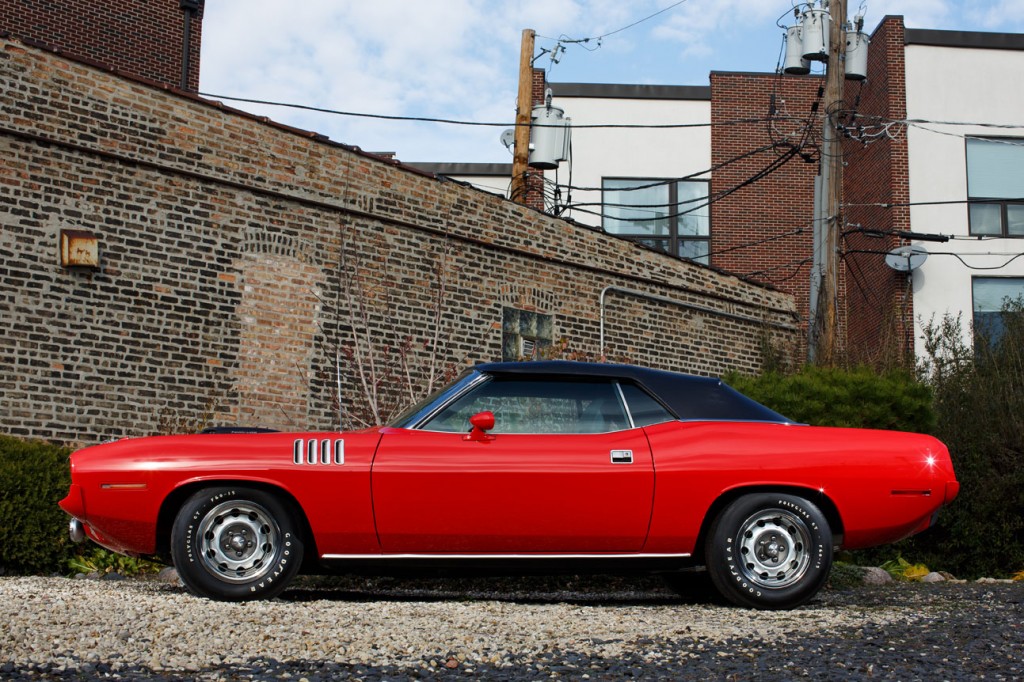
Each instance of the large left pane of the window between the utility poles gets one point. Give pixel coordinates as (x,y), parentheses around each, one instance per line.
(629,211)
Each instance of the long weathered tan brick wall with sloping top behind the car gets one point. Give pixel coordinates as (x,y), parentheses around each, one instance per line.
(243,263)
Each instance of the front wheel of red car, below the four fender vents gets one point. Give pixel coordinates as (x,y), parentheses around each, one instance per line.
(236,544)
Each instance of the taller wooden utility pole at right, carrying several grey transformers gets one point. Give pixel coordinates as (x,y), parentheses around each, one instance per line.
(827,317)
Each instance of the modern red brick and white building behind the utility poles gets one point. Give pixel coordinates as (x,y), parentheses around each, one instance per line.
(764,153)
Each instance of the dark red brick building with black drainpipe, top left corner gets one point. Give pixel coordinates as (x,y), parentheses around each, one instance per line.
(143,38)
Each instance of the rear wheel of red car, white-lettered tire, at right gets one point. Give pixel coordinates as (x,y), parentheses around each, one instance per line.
(770,551)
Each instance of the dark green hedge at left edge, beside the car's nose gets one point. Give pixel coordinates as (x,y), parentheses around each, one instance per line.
(34,477)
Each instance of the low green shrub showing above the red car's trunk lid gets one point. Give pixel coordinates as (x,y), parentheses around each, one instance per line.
(832,397)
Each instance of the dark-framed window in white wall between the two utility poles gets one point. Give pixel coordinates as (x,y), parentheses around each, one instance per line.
(668,216)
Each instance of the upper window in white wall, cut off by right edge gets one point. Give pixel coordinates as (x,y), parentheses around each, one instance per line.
(996,176)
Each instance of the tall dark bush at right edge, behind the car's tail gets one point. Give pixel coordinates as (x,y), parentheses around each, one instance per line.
(979,402)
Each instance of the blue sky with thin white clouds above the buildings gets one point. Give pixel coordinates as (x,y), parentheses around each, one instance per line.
(459,60)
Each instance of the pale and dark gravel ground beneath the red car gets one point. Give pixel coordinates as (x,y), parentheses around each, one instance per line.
(509,629)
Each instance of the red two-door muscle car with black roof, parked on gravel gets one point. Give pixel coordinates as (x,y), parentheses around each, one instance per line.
(549,466)
